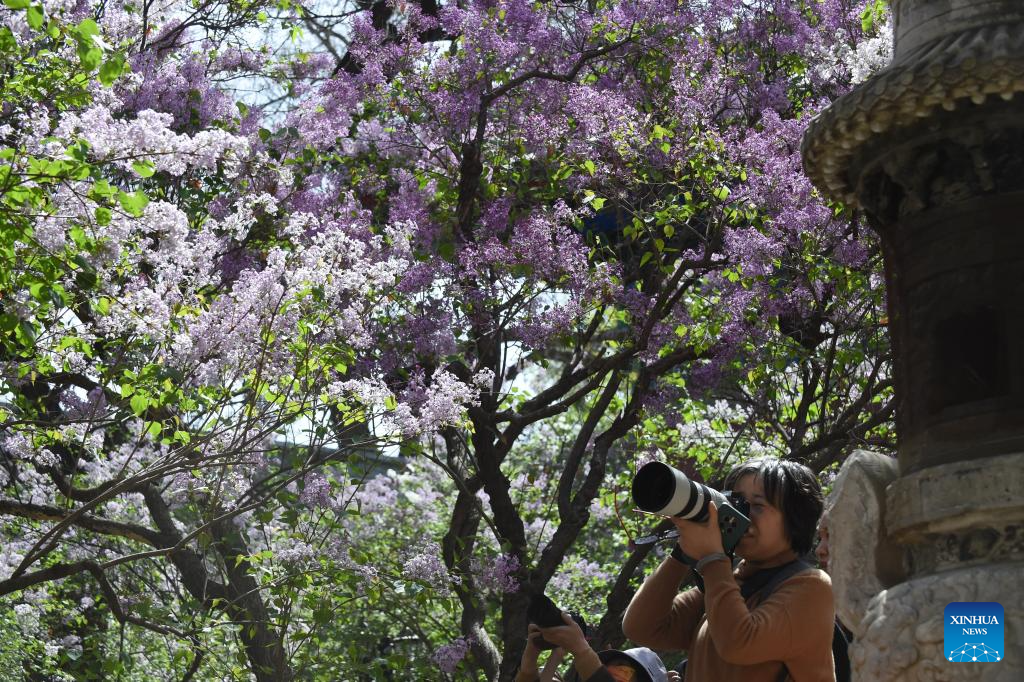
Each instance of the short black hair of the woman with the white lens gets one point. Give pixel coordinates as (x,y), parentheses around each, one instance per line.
(794,490)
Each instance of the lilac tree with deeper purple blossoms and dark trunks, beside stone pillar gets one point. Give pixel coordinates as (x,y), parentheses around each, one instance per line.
(610,192)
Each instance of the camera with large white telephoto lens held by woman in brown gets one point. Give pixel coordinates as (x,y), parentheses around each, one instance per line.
(660,489)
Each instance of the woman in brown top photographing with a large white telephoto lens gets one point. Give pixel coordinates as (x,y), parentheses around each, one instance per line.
(731,631)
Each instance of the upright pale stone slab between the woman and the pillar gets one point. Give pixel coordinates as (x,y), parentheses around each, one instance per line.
(863,560)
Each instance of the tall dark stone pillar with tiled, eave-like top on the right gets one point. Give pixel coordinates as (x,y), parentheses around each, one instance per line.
(932,151)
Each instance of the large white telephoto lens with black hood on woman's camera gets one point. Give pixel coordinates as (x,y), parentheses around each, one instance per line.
(660,489)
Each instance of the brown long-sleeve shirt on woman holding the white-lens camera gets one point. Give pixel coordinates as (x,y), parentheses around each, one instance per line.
(733,641)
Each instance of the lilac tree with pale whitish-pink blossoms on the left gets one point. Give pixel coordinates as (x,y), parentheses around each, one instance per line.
(165,354)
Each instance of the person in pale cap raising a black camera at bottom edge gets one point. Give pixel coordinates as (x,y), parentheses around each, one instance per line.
(638,665)
